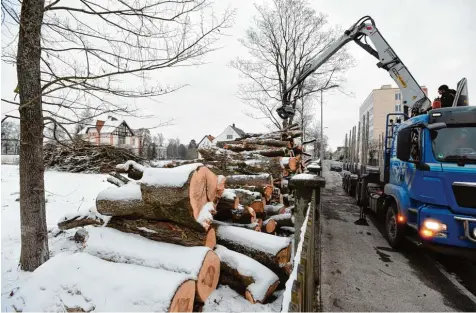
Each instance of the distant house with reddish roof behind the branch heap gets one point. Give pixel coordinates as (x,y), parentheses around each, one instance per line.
(112,132)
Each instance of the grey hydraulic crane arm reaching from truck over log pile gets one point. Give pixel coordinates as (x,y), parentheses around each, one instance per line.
(413,96)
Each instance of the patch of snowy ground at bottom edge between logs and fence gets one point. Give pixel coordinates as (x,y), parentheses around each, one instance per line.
(225,299)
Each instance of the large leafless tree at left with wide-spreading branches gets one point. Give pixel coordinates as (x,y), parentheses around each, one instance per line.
(72,56)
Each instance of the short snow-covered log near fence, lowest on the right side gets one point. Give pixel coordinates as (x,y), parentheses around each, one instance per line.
(246,276)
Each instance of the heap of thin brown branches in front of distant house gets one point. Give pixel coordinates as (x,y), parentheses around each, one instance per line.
(81,156)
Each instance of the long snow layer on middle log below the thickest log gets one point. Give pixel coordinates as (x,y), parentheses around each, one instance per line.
(114,245)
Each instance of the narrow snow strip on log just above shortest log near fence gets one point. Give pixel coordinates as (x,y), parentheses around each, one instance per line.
(263,242)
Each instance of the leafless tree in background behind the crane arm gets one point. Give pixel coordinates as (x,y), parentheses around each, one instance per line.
(285,36)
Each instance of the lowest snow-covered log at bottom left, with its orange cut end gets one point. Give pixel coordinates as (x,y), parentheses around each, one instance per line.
(82,282)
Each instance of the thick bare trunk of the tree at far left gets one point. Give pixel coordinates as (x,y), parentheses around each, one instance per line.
(34,239)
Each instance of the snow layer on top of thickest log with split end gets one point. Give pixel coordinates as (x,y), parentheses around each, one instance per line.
(169,177)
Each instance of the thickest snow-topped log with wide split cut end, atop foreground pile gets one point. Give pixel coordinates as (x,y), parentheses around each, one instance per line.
(180,195)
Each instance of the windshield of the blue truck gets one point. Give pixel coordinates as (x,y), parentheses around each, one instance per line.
(455,144)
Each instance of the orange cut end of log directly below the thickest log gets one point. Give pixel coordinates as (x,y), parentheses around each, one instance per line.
(208,276)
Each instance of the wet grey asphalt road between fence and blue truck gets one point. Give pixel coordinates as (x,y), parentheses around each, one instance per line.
(361,272)
